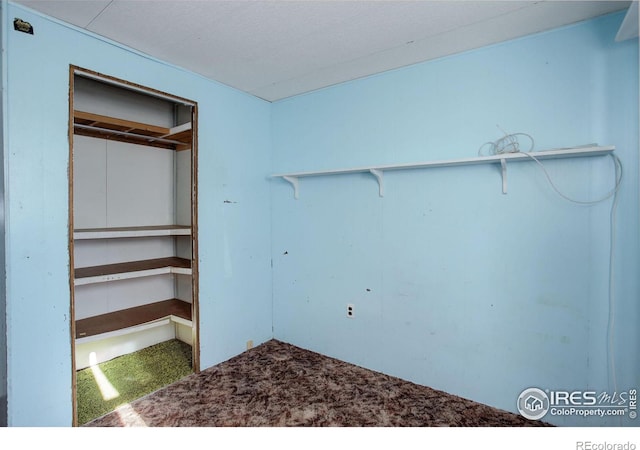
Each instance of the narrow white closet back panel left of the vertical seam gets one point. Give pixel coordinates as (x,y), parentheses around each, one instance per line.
(89,182)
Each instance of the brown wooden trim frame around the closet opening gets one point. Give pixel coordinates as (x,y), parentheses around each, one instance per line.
(76,70)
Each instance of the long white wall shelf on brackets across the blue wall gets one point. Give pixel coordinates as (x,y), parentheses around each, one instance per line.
(378,171)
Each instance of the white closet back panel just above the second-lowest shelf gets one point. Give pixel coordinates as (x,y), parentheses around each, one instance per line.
(110,251)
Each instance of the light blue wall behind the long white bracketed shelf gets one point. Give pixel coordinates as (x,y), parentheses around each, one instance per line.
(455,285)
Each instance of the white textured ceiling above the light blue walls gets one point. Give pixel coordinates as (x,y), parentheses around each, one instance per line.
(277,49)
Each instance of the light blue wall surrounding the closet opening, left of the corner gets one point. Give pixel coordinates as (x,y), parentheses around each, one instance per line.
(234,246)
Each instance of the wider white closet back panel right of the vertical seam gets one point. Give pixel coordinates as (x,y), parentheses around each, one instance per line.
(140,185)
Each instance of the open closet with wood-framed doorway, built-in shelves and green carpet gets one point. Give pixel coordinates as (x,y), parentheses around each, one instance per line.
(133,235)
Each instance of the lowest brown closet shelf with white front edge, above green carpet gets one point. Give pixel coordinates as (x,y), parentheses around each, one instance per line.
(122,321)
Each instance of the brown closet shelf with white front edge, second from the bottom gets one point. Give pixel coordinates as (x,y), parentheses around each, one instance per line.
(132,269)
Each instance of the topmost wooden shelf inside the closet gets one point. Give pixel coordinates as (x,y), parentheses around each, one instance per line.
(105,127)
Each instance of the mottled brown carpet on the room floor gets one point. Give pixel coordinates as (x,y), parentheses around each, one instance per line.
(277,385)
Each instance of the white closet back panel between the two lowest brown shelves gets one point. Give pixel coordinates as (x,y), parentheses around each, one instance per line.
(101,298)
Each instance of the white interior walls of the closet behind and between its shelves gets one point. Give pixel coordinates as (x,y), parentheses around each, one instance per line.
(118,184)
